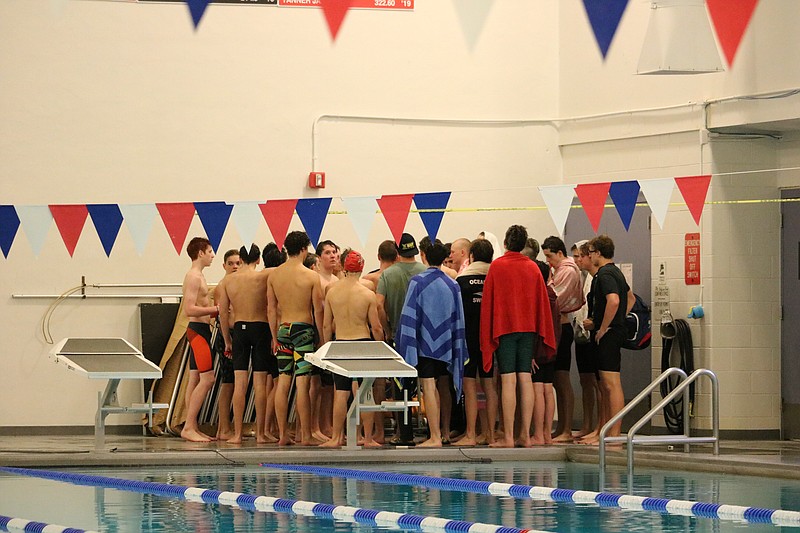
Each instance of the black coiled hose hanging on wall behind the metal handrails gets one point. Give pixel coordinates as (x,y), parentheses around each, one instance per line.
(683,358)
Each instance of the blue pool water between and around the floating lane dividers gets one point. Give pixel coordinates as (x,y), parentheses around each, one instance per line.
(113,510)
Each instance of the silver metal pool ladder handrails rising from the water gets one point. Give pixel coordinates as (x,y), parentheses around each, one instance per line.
(686,439)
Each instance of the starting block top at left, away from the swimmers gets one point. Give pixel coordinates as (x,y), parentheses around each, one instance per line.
(104,358)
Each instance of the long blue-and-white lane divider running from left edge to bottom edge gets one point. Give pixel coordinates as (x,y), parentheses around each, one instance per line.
(269,504)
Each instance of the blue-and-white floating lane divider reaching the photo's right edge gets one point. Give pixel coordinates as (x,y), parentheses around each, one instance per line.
(603,499)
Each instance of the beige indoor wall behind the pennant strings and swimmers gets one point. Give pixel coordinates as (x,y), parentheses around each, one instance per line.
(123,102)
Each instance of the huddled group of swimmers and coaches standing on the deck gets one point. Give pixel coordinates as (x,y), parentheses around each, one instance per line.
(463,314)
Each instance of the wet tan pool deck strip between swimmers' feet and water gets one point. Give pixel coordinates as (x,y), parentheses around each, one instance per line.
(779,459)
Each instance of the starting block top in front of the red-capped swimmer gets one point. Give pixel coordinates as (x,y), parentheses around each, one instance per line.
(361,359)
